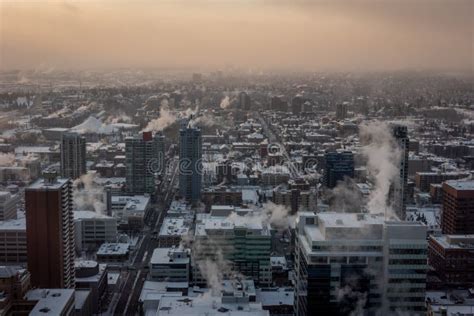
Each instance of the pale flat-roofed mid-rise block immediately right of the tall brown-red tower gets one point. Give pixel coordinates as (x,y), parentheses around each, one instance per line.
(93,229)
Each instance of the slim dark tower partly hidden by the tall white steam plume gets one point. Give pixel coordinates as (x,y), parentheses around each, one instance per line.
(399,189)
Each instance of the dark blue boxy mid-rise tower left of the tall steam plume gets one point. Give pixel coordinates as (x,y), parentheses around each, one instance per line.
(338,166)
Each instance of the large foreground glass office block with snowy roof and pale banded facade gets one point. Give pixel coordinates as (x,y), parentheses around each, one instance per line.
(345,261)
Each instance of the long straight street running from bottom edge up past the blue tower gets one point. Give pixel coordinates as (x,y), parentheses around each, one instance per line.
(130,293)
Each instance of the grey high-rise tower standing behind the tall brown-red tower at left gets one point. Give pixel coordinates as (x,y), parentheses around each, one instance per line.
(73,155)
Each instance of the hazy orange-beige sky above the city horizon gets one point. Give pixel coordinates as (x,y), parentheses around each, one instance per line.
(311,35)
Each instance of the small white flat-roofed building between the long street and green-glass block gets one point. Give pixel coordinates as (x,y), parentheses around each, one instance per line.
(170,264)
